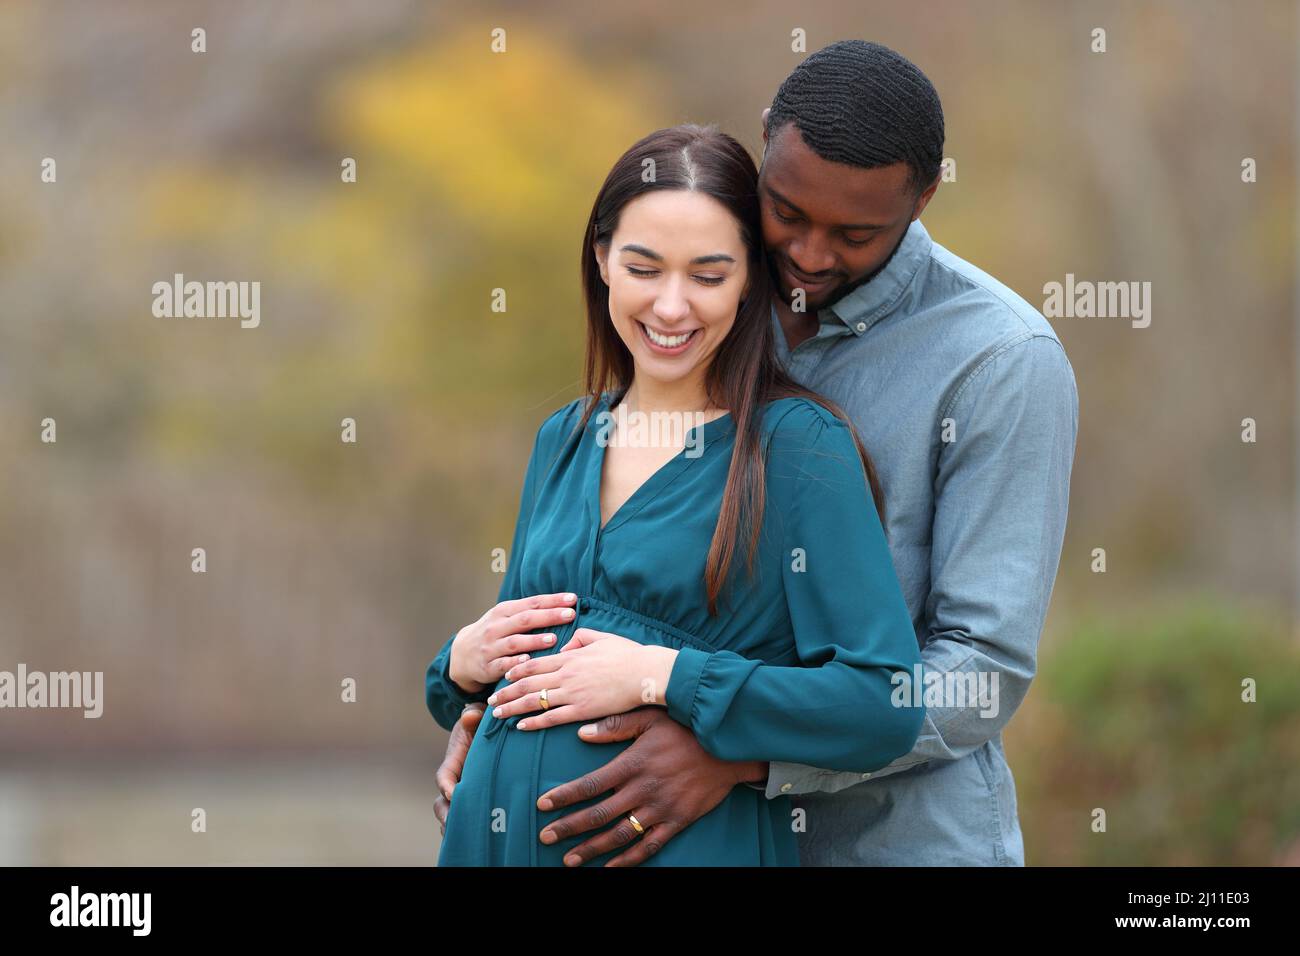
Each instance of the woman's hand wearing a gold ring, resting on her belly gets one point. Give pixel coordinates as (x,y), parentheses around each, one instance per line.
(595,676)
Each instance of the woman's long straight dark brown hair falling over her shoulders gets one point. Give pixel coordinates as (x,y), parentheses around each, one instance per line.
(746,374)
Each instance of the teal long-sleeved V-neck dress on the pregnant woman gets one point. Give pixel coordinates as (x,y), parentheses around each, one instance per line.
(796,667)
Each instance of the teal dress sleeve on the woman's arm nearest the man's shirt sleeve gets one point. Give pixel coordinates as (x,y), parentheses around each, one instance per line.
(851,624)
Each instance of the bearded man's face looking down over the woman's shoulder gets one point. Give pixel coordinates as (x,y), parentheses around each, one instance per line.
(827,227)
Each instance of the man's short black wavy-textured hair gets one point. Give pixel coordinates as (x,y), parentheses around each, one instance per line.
(864,105)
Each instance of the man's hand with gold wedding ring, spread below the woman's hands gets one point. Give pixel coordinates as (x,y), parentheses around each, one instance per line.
(666,780)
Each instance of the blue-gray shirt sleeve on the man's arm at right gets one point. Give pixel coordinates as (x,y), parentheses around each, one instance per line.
(1002,495)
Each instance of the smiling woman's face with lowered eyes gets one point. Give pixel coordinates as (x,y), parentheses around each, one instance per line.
(677,270)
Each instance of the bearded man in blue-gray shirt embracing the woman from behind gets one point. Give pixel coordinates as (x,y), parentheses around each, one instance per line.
(965,399)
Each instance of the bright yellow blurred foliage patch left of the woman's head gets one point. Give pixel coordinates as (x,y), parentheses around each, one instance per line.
(482,131)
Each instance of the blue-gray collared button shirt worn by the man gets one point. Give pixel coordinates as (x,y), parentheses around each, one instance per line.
(965,399)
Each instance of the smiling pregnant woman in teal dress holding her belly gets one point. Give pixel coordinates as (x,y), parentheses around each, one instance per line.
(735,573)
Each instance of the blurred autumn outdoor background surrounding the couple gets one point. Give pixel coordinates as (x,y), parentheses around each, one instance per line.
(476,171)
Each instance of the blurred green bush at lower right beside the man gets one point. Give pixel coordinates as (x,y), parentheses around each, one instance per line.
(1145,717)
